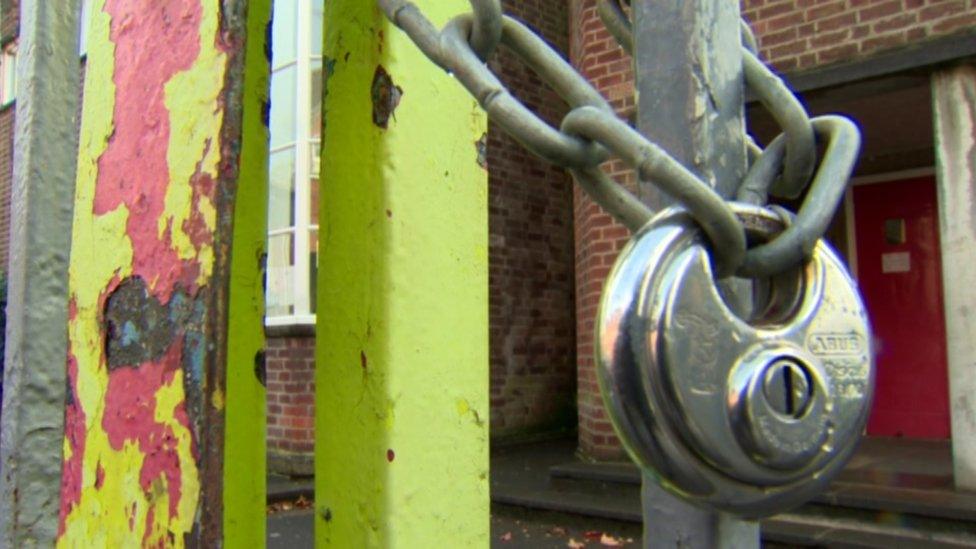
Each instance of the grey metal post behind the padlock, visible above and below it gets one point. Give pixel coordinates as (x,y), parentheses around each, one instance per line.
(688,65)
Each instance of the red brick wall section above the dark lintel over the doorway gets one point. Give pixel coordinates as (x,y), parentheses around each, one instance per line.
(801,34)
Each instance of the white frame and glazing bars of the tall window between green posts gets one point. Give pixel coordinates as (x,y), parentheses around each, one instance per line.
(303,143)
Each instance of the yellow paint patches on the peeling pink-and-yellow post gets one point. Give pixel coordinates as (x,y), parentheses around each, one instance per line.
(112,508)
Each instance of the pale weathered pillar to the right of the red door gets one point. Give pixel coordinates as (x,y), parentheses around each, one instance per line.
(954,102)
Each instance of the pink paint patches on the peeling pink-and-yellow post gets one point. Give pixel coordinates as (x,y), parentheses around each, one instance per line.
(134,172)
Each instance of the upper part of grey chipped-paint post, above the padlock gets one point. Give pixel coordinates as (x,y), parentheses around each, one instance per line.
(689,58)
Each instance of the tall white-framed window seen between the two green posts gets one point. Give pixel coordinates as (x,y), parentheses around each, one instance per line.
(296,95)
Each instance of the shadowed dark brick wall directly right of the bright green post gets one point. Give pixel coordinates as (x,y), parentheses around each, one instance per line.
(533,359)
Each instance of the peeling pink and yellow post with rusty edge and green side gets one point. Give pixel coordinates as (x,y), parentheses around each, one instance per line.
(164,320)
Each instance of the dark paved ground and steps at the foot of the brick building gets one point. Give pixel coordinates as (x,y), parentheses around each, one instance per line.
(882,470)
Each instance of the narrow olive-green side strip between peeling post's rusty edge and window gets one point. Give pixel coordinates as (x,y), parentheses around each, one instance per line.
(244,454)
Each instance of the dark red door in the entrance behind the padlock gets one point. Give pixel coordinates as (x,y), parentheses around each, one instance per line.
(899,270)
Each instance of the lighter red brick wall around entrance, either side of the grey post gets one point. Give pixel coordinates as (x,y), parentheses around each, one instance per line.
(795,35)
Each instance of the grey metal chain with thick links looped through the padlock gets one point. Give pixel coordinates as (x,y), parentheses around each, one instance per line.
(591,132)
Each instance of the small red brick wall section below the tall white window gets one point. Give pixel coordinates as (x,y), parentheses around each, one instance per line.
(290,366)
